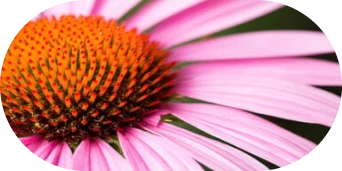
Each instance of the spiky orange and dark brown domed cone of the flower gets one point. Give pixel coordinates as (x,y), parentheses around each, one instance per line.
(70,78)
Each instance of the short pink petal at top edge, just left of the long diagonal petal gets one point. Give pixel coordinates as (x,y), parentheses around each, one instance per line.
(156,11)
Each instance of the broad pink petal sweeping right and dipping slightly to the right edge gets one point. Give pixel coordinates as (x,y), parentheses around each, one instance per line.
(272,97)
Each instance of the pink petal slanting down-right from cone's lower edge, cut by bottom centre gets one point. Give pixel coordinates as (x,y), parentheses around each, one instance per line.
(144,149)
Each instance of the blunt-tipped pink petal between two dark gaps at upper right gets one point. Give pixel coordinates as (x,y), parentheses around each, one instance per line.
(260,44)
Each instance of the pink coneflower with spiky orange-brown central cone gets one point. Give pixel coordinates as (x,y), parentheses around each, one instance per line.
(75,77)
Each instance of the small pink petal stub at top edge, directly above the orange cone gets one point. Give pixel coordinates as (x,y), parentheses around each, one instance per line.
(82,7)
